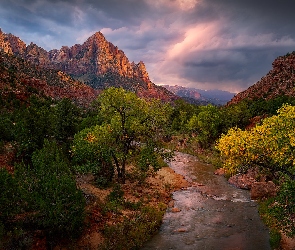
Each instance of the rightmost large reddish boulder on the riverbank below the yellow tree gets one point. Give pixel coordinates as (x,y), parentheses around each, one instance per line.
(261,190)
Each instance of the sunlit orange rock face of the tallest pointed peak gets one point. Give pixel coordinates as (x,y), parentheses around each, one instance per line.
(96,56)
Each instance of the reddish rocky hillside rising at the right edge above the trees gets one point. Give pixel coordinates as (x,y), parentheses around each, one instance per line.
(280,80)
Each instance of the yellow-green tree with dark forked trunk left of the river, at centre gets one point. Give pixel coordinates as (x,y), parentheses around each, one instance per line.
(131,126)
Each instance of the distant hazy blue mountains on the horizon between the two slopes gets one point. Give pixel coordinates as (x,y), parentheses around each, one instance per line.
(217,97)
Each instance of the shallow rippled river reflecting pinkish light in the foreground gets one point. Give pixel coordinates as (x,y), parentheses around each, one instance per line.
(211,214)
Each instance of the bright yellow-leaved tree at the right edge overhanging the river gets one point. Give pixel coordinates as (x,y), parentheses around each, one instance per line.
(269,145)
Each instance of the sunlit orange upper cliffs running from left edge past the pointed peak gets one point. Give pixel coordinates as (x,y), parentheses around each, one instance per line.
(95,56)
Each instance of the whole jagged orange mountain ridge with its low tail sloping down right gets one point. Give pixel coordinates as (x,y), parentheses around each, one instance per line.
(97,63)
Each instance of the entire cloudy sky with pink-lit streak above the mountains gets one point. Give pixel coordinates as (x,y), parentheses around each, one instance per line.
(206,44)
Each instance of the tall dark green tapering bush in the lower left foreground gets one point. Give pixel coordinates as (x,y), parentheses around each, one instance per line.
(59,203)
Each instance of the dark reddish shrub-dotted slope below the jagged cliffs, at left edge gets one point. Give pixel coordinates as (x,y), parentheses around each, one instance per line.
(20,79)
